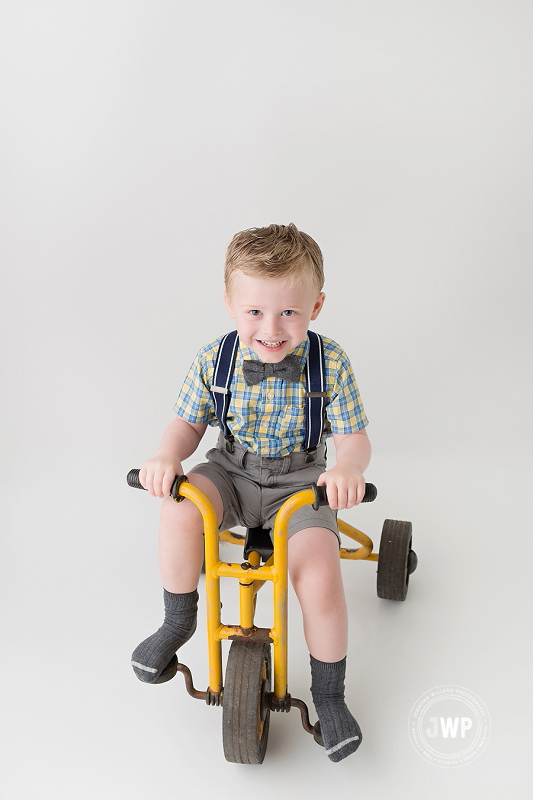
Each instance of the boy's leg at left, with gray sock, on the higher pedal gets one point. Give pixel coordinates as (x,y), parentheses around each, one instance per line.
(180,559)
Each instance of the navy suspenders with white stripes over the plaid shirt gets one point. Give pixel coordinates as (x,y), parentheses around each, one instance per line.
(315,385)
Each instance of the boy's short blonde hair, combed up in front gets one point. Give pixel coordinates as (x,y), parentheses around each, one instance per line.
(278,251)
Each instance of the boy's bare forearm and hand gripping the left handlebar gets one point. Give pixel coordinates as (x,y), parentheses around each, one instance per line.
(178,442)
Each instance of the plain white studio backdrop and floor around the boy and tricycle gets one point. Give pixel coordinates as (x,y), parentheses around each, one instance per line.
(136,139)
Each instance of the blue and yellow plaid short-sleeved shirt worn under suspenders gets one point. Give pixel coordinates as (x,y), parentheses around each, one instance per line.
(268,418)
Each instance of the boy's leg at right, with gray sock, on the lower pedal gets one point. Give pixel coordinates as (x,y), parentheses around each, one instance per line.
(314,568)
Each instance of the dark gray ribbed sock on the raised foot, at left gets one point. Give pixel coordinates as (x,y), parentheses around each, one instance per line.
(151,657)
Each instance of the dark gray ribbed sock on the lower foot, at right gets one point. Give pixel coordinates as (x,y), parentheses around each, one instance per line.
(339,730)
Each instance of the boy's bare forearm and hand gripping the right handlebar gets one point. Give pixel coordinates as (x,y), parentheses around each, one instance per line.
(344,482)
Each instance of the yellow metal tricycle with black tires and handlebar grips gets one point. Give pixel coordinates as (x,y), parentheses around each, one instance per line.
(249,692)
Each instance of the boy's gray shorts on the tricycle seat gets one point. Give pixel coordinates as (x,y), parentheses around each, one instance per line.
(253,488)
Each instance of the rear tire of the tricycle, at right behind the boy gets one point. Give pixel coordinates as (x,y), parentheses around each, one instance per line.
(393,577)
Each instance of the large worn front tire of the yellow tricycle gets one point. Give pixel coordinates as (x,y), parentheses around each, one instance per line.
(245,708)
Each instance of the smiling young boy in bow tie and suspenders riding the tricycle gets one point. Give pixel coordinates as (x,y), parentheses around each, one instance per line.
(273,278)
